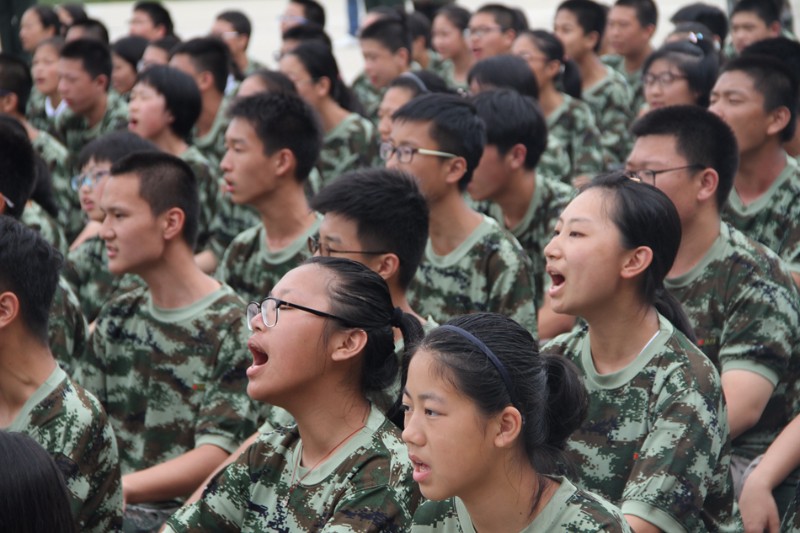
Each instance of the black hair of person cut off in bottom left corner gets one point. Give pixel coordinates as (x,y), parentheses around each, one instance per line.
(33,495)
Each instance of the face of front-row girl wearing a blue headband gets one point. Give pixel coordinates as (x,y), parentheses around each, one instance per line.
(447,438)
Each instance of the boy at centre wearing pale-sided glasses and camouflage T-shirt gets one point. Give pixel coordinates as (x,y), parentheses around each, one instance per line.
(470,263)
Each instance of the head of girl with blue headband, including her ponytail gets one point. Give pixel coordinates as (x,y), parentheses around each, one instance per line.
(504,405)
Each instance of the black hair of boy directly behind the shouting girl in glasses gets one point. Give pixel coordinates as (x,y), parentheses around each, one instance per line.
(388,209)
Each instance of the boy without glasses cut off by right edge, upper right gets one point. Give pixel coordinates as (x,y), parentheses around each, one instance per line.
(757,97)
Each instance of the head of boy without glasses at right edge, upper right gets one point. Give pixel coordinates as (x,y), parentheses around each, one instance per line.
(756,96)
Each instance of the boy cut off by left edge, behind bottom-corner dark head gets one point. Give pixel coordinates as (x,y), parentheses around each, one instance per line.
(39,398)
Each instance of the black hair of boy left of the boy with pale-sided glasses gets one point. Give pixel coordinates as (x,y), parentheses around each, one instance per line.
(283,121)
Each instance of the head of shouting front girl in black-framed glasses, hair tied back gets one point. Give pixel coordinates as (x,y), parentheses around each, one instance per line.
(343,304)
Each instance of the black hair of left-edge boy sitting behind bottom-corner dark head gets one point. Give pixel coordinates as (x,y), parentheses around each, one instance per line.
(29,267)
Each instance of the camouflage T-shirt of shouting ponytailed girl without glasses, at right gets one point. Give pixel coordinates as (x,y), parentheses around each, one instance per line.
(655,441)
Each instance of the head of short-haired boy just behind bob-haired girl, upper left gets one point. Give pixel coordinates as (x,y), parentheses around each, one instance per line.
(206,59)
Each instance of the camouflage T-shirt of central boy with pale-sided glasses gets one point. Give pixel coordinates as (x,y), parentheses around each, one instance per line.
(489,271)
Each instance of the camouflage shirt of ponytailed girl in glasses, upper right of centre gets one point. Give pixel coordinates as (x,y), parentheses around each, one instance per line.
(573,142)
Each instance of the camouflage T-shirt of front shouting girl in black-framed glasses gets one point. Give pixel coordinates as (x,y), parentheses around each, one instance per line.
(365,486)
